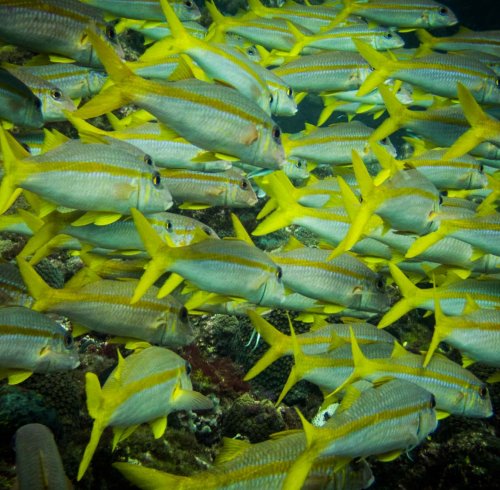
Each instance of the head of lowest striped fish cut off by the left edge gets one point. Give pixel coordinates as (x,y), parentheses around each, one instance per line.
(59,354)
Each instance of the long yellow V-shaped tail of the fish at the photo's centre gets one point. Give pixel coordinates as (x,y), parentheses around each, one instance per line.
(156,248)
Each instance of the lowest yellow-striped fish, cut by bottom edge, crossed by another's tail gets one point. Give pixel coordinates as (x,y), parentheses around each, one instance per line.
(261,465)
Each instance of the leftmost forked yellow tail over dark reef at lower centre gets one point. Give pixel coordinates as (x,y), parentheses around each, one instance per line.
(279,344)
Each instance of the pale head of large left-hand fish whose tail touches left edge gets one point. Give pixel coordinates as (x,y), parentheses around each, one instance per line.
(153,195)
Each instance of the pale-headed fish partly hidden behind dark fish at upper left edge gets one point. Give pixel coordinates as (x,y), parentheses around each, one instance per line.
(54,101)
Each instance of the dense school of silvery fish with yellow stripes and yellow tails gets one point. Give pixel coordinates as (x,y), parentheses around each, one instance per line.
(196,124)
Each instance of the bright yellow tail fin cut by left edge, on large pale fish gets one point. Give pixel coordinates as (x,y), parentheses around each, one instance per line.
(12,153)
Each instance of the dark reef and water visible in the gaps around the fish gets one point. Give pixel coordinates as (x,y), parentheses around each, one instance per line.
(461,453)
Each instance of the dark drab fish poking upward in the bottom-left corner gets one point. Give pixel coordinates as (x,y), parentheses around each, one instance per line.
(38,462)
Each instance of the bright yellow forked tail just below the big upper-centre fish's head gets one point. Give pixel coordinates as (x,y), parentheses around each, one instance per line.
(278,186)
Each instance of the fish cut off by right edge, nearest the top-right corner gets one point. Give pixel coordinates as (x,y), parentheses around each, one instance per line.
(465,39)
